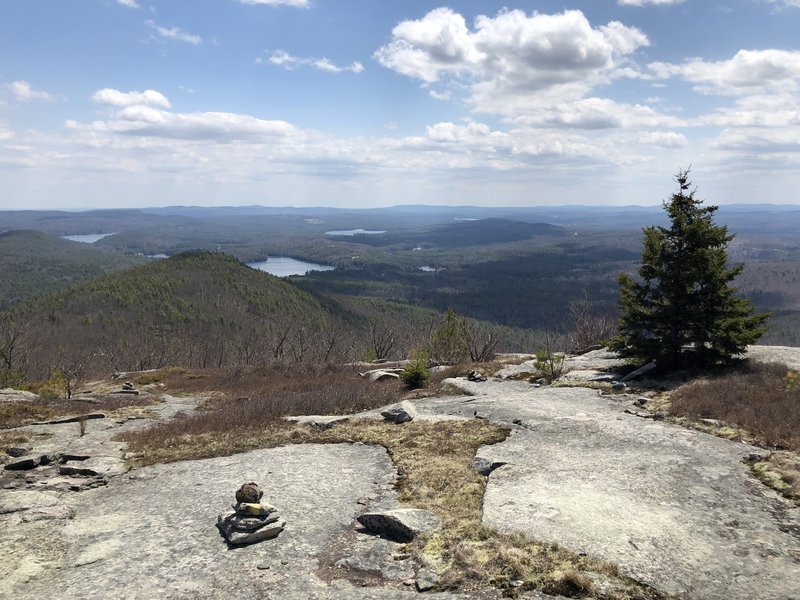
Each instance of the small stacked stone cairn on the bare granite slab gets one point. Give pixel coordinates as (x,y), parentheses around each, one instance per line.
(250,520)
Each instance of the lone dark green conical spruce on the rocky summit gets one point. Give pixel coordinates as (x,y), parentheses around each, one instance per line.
(682,310)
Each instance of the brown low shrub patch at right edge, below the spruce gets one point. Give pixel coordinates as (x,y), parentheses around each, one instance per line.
(755,398)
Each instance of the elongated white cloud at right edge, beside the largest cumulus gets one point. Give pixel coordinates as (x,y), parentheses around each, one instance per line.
(748,72)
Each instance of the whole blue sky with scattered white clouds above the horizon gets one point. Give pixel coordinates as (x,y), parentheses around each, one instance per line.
(366,103)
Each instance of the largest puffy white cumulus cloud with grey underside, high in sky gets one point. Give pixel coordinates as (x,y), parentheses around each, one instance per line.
(512,62)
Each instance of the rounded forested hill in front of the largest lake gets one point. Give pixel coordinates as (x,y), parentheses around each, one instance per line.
(200,309)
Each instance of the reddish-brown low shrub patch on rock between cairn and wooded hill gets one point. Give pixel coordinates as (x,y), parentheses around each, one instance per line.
(247,407)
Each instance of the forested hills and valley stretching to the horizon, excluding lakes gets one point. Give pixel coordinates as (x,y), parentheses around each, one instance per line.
(512,276)
